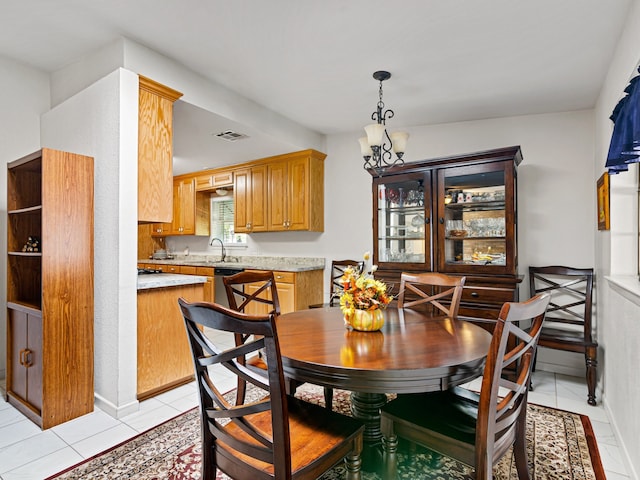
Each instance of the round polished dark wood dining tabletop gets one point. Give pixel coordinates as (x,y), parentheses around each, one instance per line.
(413,352)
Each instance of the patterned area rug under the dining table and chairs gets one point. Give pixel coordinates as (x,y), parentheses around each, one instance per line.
(561,446)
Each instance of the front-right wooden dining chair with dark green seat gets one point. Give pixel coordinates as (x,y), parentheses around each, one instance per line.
(475,429)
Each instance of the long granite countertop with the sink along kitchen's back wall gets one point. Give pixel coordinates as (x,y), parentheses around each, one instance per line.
(283,264)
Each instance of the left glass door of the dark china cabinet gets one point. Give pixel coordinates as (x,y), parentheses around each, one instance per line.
(403,219)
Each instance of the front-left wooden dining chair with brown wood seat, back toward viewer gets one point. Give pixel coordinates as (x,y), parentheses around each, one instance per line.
(270,435)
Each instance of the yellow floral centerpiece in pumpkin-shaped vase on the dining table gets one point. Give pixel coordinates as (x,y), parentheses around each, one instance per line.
(363,298)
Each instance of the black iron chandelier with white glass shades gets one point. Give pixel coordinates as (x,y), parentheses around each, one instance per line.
(378,145)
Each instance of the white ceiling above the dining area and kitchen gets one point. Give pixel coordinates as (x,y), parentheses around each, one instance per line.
(312,61)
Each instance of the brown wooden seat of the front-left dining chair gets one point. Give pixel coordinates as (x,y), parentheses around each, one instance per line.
(314,431)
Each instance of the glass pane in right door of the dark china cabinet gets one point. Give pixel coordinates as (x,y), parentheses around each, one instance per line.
(475,219)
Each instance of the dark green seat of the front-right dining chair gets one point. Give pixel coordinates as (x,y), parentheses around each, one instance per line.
(453,413)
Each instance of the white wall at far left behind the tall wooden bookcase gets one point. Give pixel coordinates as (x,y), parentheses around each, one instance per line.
(24,96)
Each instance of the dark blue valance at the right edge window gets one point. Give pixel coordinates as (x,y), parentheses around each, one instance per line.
(625,141)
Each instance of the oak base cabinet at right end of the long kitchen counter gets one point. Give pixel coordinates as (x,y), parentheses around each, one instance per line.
(296,291)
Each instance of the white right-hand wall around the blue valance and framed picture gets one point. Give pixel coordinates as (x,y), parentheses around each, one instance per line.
(616,256)
